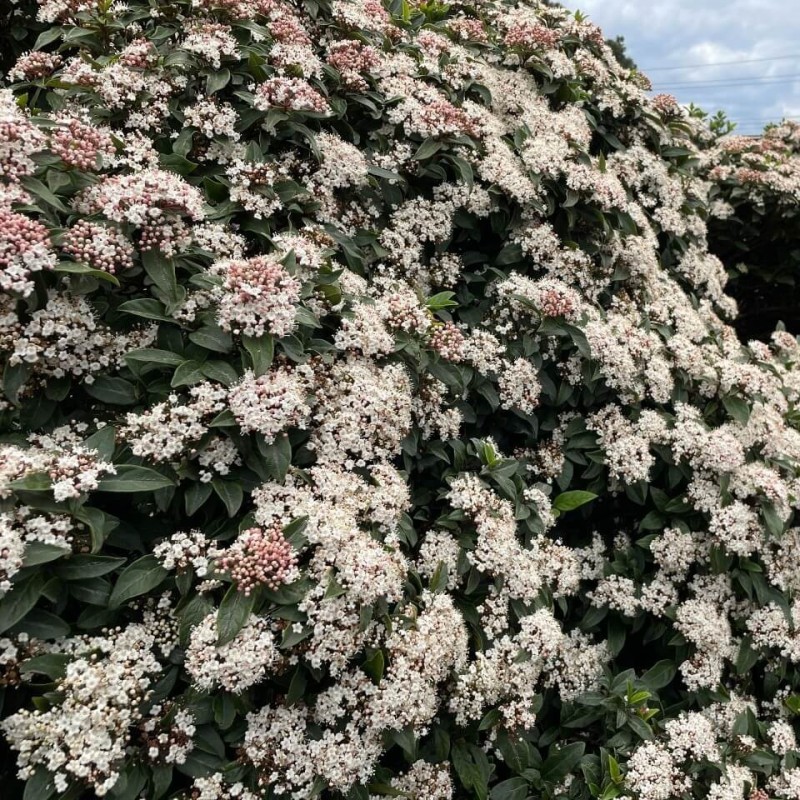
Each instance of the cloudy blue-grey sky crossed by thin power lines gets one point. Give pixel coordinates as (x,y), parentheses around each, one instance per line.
(702,33)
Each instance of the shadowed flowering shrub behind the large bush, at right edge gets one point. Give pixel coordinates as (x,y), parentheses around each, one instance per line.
(754,225)
